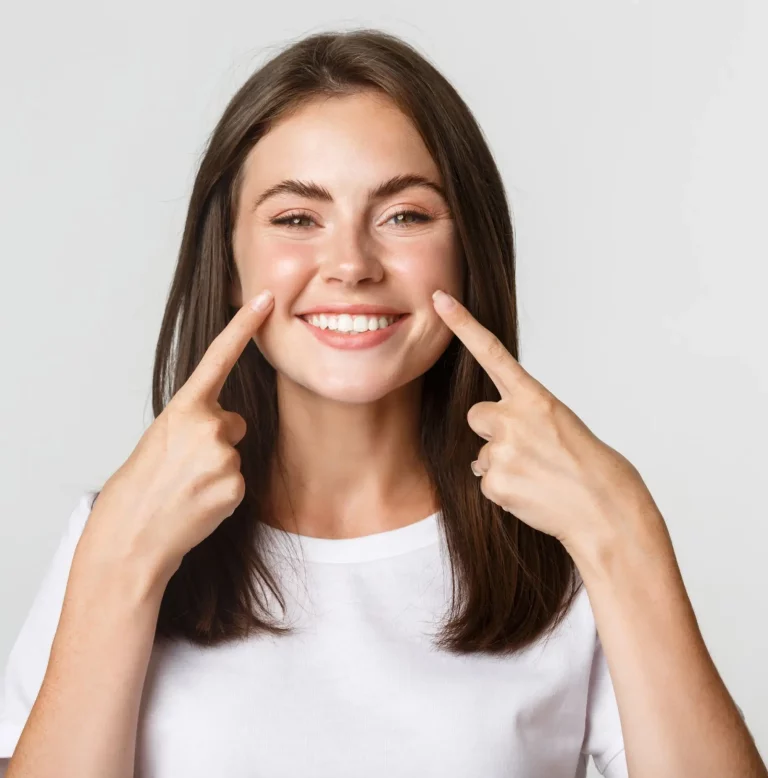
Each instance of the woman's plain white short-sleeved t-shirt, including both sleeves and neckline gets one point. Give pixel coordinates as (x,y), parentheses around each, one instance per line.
(358,688)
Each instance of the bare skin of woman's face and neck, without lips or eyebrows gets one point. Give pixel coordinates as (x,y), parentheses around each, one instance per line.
(348,418)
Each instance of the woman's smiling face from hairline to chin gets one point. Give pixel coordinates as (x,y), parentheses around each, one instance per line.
(346,249)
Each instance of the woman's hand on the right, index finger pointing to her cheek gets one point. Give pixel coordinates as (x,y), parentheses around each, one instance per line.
(541,462)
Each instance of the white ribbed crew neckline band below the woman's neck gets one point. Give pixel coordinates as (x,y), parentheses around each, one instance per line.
(379,545)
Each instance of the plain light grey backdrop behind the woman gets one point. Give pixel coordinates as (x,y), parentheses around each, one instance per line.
(632,141)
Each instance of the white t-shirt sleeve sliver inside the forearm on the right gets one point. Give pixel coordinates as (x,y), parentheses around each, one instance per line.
(603,739)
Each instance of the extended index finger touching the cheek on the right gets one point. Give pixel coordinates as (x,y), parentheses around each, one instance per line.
(502,368)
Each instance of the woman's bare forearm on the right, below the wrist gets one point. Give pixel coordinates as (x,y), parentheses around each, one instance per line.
(677,716)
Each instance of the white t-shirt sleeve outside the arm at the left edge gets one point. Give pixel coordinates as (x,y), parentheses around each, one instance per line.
(28,660)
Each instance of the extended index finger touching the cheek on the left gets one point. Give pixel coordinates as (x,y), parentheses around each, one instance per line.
(207,379)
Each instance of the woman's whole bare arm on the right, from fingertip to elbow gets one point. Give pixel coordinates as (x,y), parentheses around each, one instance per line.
(542,463)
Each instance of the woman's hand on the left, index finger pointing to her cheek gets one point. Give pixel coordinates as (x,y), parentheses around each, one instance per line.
(183,478)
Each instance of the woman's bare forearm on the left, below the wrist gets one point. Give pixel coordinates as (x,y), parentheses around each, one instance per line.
(84,721)
